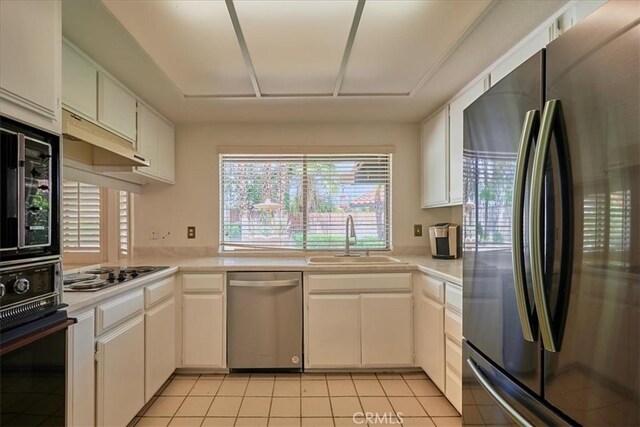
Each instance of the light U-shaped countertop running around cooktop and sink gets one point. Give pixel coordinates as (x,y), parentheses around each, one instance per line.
(448,270)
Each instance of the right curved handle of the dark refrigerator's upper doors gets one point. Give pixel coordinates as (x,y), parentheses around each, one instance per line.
(551,123)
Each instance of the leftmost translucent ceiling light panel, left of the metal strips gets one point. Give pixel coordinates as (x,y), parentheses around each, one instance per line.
(193,42)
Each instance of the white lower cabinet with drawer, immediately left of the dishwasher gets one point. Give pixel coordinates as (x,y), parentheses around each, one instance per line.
(203,321)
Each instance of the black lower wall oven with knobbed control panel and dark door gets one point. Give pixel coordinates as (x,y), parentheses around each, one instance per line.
(33,341)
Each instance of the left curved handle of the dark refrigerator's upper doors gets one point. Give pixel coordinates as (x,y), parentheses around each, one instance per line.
(529,132)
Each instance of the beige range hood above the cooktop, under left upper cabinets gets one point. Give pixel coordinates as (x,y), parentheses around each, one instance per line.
(89,144)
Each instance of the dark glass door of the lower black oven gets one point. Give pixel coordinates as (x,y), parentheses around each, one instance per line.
(33,382)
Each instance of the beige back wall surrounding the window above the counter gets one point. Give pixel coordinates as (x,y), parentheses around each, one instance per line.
(193,200)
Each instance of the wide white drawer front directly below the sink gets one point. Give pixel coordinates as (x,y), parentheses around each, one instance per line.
(319,283)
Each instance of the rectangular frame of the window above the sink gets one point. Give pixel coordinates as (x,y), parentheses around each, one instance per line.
(224,247)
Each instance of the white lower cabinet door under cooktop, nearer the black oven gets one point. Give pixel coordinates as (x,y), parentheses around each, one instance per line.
(120,374)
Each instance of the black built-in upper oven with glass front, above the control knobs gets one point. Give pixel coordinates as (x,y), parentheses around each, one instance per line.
(29,193)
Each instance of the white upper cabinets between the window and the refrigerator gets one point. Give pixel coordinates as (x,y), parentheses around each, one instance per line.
(442,146)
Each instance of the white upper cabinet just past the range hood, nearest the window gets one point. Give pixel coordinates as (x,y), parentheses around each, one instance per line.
(156,142)
